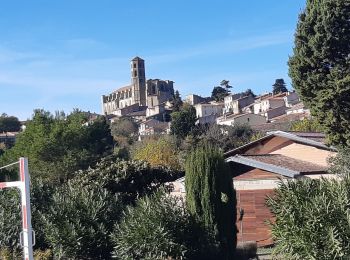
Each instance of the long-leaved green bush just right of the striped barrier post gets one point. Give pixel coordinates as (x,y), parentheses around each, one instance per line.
(80,220)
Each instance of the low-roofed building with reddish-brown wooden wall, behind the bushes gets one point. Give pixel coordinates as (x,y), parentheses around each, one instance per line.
(259,166)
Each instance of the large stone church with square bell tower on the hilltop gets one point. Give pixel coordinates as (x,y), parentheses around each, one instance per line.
(148,96)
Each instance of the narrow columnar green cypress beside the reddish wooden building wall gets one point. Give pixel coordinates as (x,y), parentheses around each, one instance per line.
(210,196)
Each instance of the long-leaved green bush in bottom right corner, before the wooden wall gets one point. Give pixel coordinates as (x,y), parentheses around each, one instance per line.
(312,219)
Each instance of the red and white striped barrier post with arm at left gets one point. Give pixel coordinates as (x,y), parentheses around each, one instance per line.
(26,236)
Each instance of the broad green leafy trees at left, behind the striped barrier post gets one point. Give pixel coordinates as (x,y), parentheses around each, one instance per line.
(58,146)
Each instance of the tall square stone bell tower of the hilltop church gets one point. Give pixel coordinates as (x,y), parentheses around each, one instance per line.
(138,79)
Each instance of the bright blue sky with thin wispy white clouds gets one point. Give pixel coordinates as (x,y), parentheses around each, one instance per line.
(64,54)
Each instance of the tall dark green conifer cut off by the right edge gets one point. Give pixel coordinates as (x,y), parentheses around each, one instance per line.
(320,65)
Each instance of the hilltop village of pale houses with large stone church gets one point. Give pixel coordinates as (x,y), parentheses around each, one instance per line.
(150,103)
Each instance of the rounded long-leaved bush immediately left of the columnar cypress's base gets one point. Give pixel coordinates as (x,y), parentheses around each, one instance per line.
(158,227)
